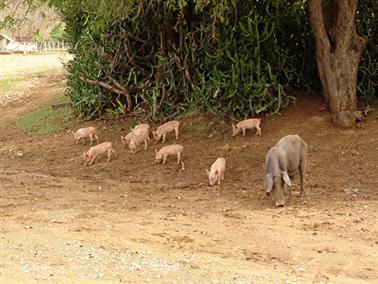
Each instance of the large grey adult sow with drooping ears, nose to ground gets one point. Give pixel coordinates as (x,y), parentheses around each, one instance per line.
(284,160)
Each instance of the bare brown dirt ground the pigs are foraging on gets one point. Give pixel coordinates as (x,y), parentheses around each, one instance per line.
(133,221)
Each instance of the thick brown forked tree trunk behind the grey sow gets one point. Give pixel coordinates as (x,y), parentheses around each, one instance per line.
(338,51)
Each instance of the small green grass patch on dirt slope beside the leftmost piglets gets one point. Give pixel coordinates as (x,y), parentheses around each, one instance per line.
(45,120)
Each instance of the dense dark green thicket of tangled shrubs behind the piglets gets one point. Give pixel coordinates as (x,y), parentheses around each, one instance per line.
(160,58)
